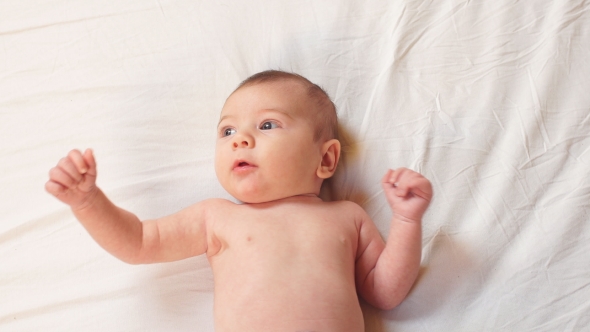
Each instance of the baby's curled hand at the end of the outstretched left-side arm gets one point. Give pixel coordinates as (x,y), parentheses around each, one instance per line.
(73,180)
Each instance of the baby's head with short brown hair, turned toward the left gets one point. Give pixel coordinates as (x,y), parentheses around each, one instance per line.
(276,138)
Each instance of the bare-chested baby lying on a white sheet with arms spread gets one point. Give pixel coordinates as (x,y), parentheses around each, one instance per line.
(283,260)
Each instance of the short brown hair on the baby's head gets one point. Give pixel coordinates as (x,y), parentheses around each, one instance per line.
(326,119)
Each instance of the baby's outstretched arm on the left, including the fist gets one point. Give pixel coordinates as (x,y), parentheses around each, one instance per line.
(181,235)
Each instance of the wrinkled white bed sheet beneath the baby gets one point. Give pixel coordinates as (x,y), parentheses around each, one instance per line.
(488,99)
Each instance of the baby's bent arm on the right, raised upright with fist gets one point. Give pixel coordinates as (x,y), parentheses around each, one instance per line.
(386,272)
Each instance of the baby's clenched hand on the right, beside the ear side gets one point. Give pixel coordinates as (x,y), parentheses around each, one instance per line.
(407,192)
